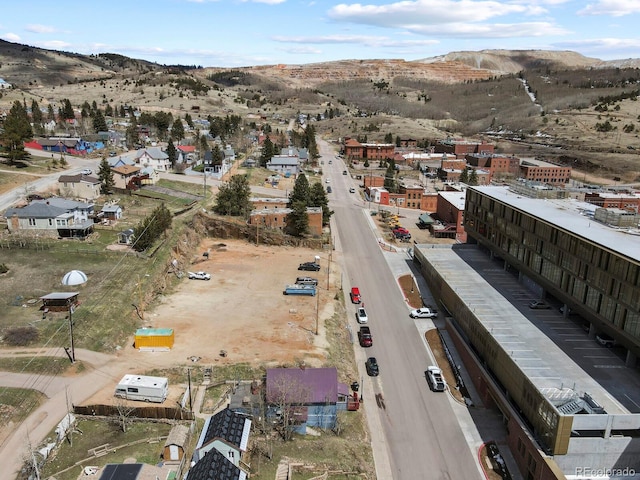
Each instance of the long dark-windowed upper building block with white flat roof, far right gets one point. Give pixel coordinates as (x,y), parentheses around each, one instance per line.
(592,267)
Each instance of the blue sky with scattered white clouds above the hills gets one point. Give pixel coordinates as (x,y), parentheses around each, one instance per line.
(228,33)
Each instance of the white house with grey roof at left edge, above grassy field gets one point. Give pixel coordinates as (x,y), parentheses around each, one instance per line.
(66,218)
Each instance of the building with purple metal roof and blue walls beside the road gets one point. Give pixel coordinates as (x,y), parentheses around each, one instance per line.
(314,394)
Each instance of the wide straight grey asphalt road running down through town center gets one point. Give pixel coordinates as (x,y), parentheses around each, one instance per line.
(415,432)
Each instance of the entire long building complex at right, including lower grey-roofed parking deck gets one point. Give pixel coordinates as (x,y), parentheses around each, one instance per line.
(561,421)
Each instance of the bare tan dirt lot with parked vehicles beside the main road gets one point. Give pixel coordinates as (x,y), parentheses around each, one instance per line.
(241,310)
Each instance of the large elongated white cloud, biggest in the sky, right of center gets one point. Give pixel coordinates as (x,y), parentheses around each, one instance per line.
(429,12)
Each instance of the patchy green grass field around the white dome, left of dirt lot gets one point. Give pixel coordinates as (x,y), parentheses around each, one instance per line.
(117,279)
